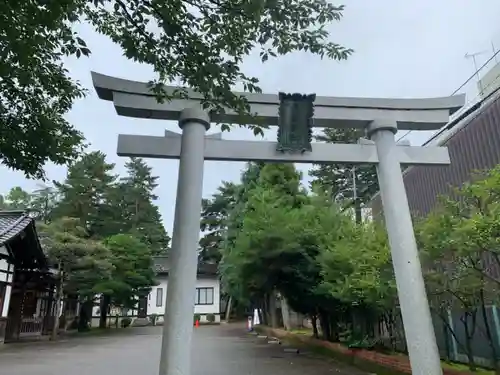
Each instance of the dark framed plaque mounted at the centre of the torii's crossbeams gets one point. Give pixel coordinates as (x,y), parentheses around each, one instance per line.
(295,122)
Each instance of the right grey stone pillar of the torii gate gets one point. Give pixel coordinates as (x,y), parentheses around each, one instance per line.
(417,320)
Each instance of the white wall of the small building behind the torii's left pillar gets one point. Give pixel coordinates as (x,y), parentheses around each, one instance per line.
(158,307)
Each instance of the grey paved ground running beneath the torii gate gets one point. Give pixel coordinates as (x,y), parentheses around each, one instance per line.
(217,350)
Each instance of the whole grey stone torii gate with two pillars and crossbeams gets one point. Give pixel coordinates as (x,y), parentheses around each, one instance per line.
(380,117)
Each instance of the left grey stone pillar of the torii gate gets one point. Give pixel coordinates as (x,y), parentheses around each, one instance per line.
(178,328)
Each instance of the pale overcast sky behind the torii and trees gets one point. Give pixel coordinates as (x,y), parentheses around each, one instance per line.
(402,49)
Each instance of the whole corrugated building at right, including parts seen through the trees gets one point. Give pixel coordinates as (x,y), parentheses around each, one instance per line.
(473,141)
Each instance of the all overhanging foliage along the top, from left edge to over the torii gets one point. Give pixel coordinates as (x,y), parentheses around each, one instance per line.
(199,43)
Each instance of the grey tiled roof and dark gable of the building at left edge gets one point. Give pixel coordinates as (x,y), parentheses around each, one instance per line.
(18,234)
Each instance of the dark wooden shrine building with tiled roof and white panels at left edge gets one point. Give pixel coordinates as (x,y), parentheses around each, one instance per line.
(26,282)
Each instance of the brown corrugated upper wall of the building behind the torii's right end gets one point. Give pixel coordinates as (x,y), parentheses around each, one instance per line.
(473,141)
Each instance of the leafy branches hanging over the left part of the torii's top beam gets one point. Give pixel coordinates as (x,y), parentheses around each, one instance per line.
(202,43)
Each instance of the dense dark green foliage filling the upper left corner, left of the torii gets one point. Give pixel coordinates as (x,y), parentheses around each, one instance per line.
(35,90)
